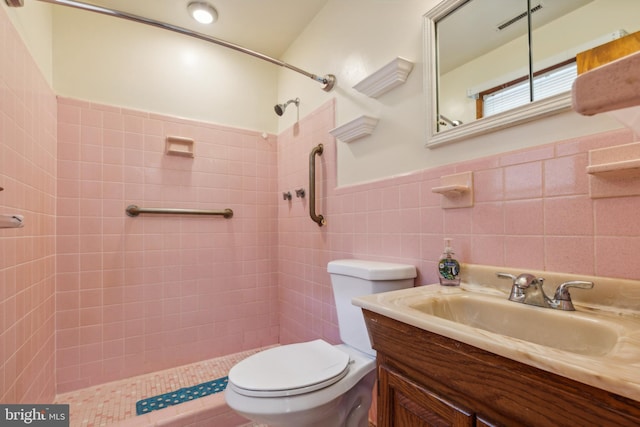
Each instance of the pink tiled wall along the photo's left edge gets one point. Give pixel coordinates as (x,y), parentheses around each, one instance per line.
(27,255)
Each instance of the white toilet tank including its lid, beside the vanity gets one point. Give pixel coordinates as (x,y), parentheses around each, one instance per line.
(353,278)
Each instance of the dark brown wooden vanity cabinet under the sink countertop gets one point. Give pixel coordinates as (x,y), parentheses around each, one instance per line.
(425,379)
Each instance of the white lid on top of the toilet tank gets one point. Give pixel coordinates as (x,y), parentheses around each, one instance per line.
(371,270)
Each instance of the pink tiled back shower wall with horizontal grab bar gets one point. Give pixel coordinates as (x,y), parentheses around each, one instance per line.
(135,295)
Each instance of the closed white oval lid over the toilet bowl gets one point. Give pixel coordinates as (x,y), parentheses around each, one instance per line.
(289,370)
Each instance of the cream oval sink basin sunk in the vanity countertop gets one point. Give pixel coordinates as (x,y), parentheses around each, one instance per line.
(568,331)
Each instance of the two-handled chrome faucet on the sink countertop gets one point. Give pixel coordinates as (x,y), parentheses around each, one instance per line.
(527,289)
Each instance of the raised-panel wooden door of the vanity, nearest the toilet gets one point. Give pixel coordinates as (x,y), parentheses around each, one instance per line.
(403,403)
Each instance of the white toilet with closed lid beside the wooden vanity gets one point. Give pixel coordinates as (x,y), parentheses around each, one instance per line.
(315,383)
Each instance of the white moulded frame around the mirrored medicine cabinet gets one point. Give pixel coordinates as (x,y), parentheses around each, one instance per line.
(532,111)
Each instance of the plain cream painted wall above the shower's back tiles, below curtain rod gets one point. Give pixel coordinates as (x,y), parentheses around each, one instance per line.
(113,61)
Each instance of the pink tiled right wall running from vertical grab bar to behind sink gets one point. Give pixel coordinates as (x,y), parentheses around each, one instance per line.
(532,210)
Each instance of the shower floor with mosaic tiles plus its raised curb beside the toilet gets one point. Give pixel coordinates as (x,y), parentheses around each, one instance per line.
(114,403)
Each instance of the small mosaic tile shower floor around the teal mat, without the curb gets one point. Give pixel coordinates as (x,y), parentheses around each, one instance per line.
(112,402)
